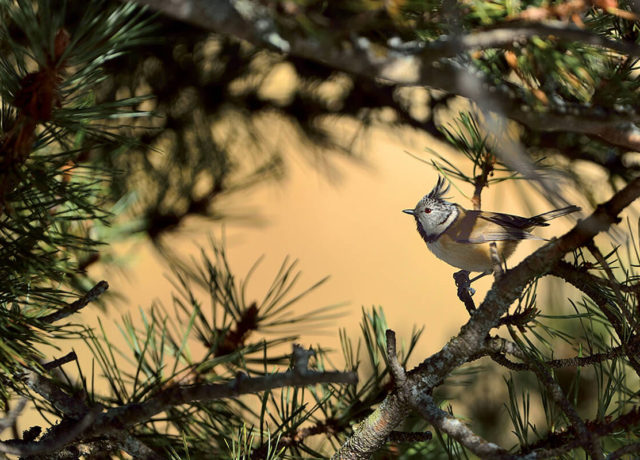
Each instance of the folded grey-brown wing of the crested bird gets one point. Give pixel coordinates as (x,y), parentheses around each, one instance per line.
(484,227)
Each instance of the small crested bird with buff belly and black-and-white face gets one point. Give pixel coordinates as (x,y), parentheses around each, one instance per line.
(462,237)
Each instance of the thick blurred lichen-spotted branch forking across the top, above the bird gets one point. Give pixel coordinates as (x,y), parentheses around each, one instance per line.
(423,64)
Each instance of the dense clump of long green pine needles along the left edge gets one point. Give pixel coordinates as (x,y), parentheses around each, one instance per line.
(48,200)
